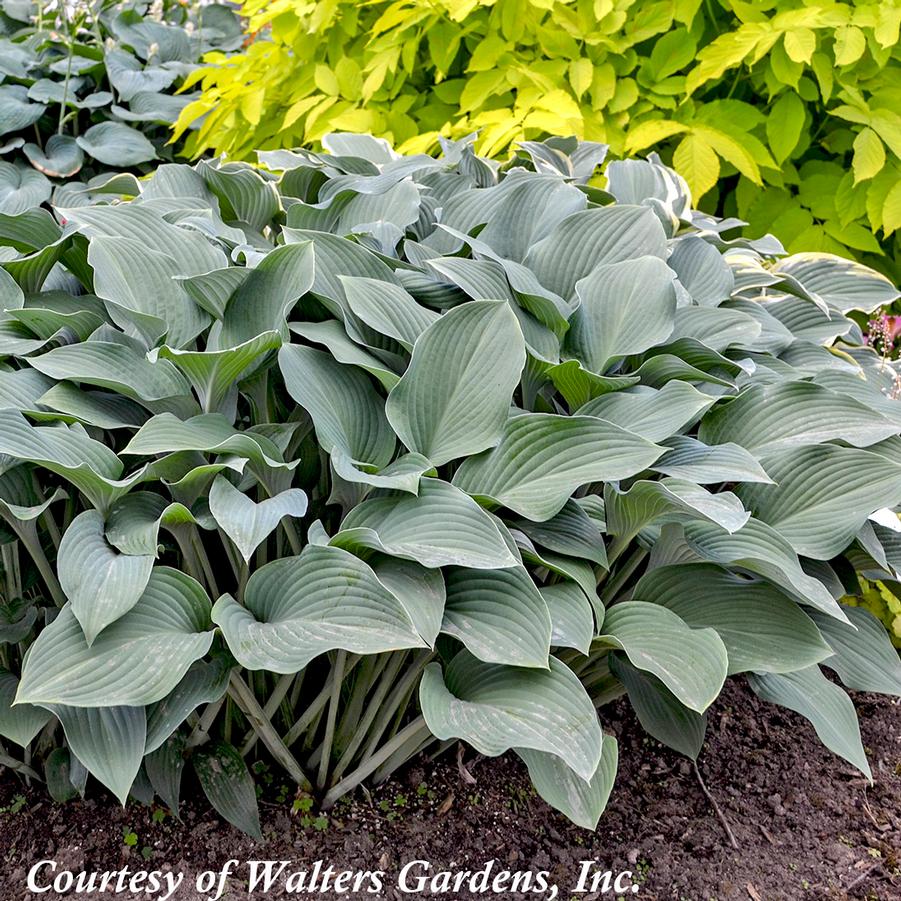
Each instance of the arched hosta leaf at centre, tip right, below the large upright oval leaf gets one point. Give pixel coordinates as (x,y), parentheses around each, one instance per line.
(443,526)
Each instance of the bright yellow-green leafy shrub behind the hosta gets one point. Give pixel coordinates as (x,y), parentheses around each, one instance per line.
(782,112)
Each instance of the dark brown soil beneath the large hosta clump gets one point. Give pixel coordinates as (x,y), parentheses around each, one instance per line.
(806,824)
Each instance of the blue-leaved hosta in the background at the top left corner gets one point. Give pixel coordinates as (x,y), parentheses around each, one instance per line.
(87,86)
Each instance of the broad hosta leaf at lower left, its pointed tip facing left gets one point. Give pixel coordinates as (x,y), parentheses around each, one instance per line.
(136,661)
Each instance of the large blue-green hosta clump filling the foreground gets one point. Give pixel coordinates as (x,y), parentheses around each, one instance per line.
(383,452)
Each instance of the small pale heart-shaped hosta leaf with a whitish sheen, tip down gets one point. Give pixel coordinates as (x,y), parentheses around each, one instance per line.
(247,523)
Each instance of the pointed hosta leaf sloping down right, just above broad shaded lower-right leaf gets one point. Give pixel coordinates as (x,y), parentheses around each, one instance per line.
(760,549)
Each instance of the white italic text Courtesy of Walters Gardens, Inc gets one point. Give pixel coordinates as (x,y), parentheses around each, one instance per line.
(281,877)
